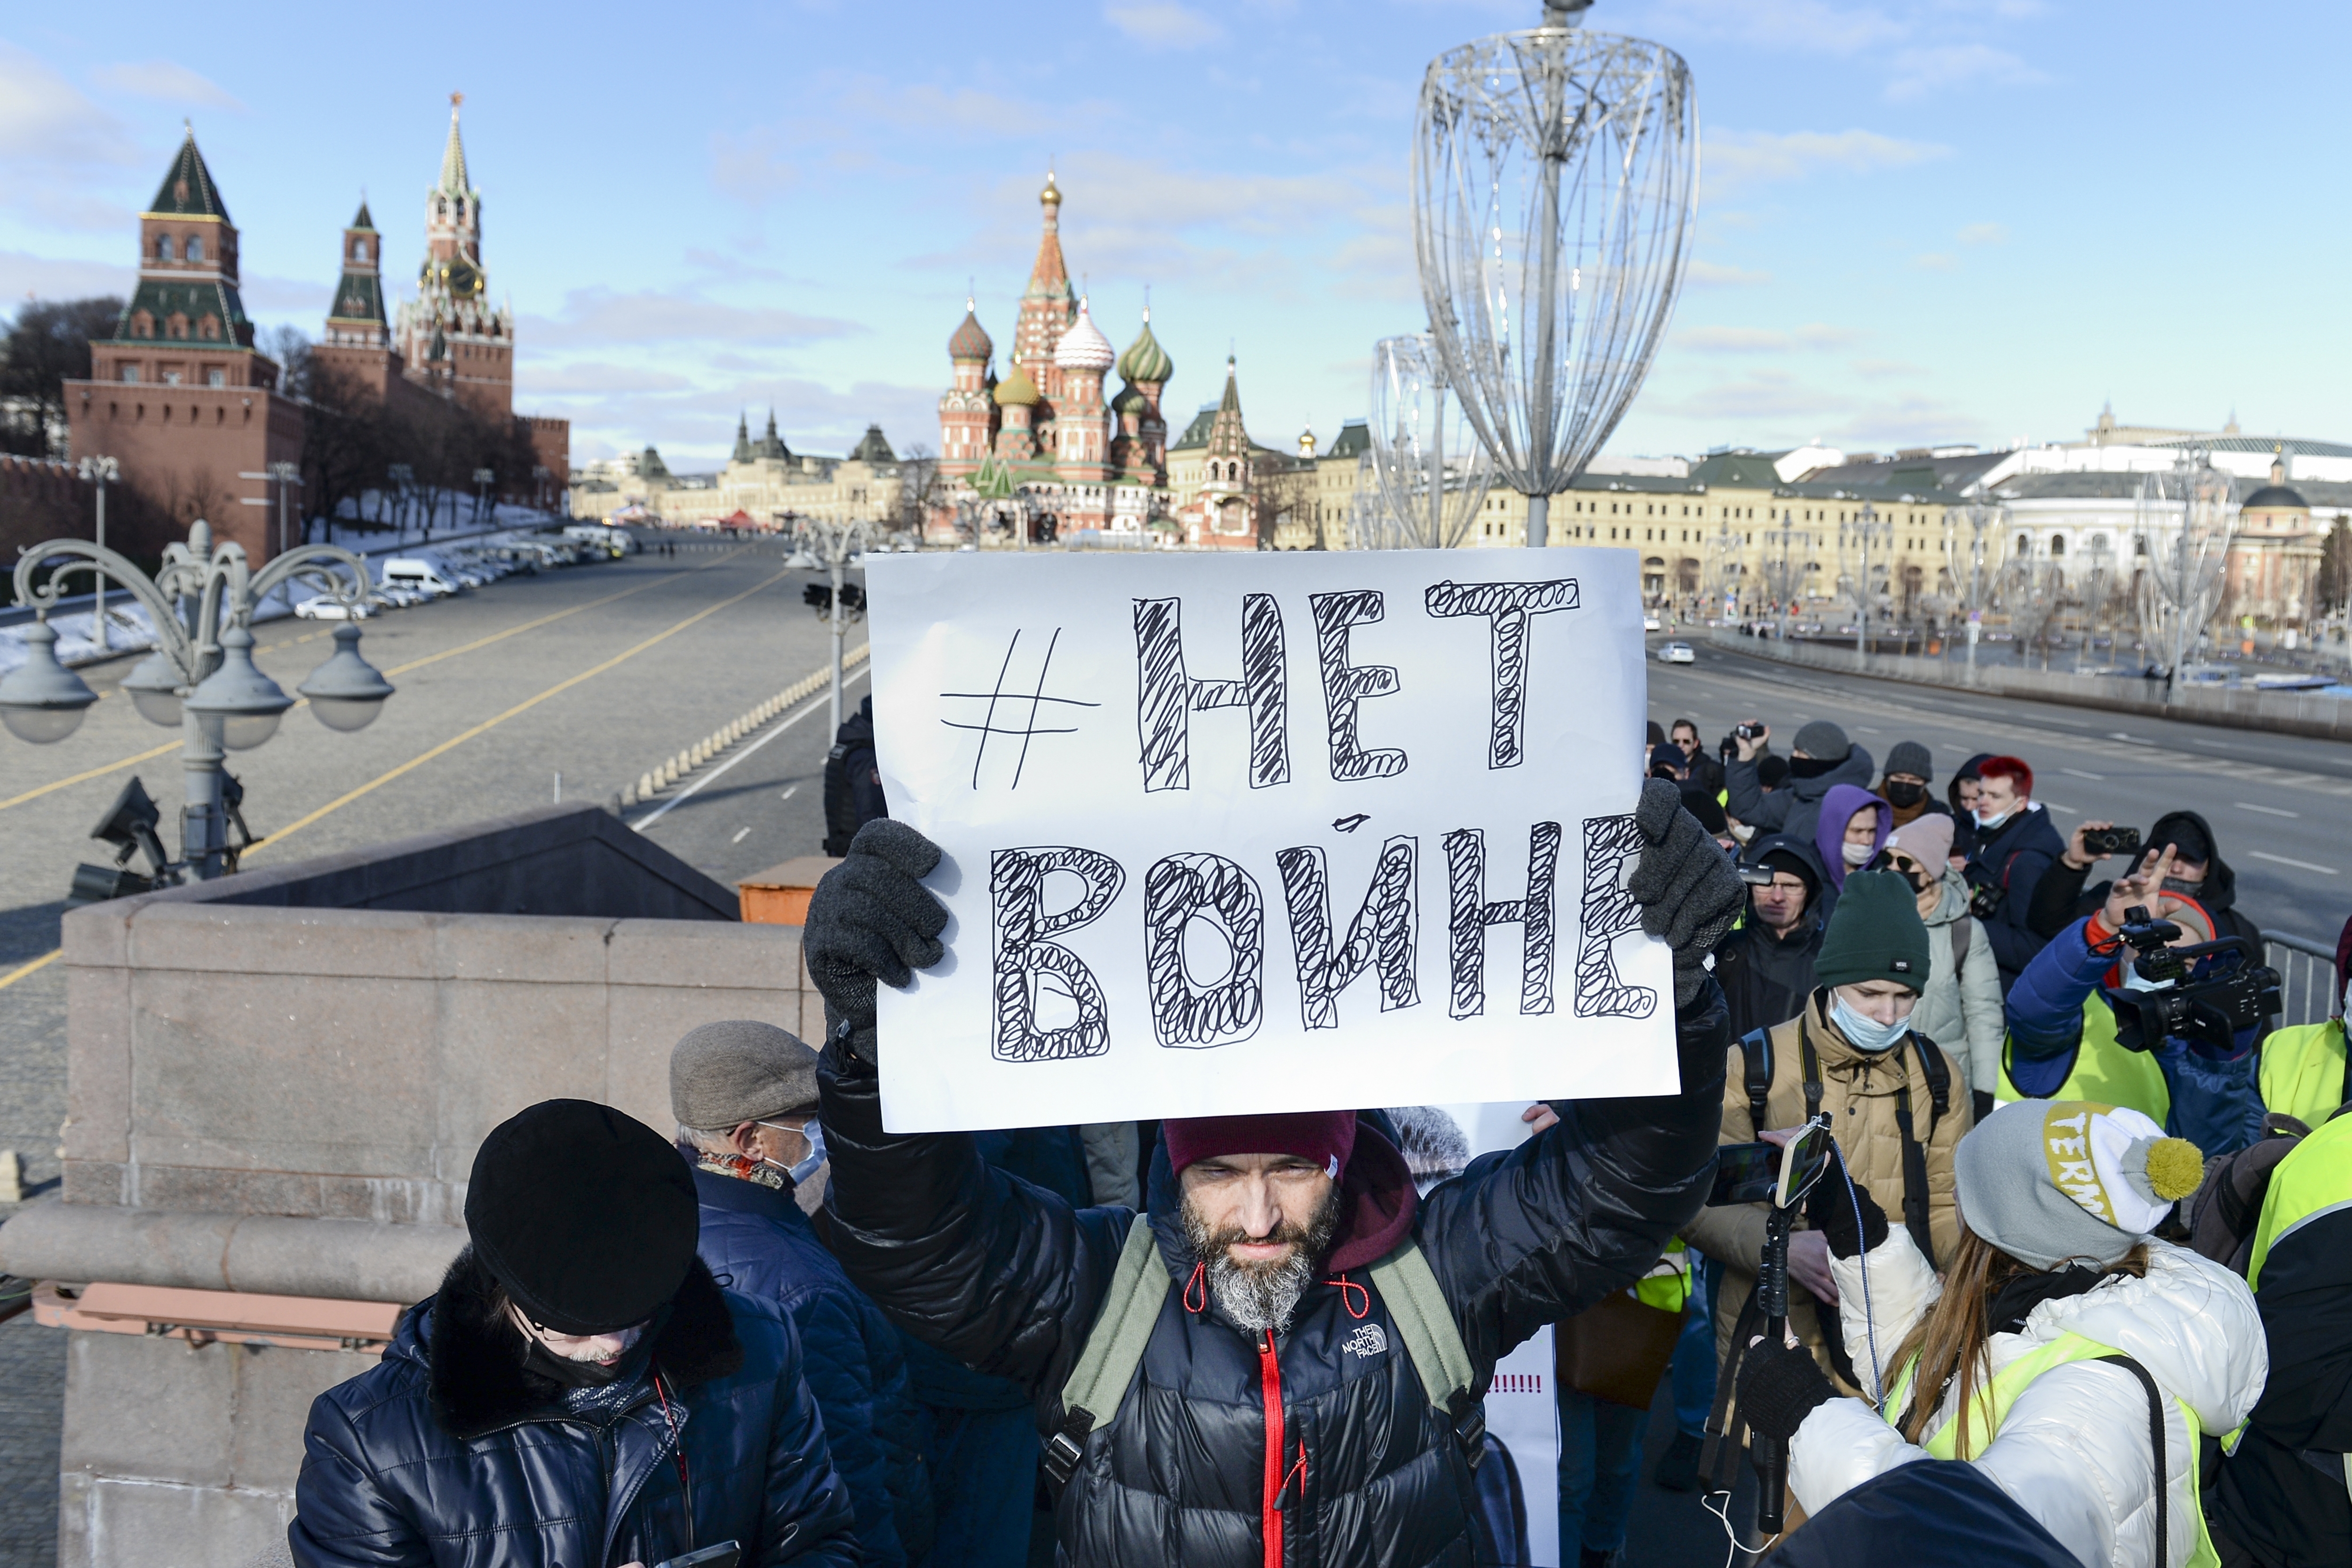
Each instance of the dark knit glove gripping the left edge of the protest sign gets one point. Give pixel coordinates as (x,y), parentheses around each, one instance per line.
(874,920)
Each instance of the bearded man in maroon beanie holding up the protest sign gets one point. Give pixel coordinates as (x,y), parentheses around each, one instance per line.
(1238,1376)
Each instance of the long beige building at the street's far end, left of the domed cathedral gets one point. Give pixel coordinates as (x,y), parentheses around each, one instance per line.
(766,485)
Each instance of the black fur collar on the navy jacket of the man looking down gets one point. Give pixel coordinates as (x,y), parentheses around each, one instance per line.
(474,1355)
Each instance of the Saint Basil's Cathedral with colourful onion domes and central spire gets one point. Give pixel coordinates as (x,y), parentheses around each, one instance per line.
(1048,434)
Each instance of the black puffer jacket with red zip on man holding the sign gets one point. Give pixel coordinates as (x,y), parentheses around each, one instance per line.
(1010,1280)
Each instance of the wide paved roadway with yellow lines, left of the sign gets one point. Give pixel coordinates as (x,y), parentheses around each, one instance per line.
(592,674)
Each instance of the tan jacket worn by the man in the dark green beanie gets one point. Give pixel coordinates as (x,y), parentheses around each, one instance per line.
(1862,1092)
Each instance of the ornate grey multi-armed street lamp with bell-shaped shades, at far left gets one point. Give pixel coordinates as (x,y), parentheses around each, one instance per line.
(201,674)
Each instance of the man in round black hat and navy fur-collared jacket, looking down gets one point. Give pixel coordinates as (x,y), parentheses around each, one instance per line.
(580,1391)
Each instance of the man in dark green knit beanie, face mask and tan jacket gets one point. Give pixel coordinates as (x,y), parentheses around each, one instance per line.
(1892,1099)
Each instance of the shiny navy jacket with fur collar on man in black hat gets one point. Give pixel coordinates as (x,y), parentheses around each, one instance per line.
(453,1454)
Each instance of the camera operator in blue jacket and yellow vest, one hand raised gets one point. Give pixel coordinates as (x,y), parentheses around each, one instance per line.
(2064,1014)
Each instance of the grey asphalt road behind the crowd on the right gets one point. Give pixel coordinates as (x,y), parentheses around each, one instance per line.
(2280,805)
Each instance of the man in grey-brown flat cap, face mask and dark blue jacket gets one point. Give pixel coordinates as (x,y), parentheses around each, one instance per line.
(744,1097)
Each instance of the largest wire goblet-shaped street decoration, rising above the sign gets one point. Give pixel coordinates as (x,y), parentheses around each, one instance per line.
(1556,175)
